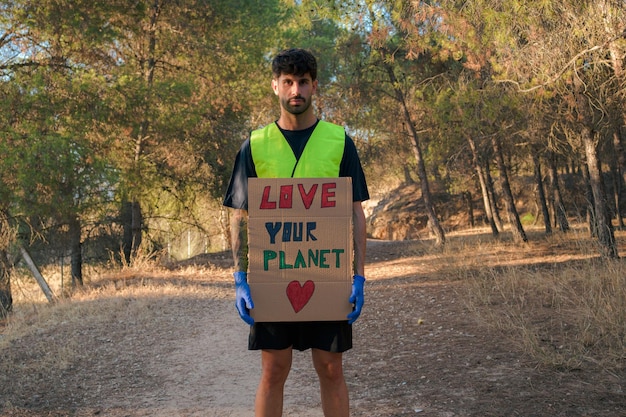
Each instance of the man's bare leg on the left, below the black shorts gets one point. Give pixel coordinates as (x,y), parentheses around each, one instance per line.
(275,366)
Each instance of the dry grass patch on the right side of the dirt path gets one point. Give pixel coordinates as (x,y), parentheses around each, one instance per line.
(554,297)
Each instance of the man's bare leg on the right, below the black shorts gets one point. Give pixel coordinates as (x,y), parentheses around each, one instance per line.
(329,367)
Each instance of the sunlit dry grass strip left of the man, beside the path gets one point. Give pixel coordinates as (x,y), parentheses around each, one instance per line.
(108,289)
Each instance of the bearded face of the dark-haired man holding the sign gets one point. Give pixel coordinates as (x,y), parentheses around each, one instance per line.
(294,92)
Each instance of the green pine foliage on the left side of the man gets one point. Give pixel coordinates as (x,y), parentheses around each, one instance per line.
(147,100)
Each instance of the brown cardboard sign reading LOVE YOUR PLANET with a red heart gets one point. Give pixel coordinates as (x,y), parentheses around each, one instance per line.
(300,248)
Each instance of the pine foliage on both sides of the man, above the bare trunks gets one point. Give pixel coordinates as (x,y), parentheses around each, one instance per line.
(150,101)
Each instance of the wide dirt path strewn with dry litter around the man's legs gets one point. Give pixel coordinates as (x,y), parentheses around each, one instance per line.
(418,352)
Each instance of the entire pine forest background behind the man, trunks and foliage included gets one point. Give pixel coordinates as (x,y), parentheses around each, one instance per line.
(120,120)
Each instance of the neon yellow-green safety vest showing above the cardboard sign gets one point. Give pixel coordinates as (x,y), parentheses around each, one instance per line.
(274,158)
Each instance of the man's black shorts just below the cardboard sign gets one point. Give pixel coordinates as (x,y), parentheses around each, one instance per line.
(330,336)
